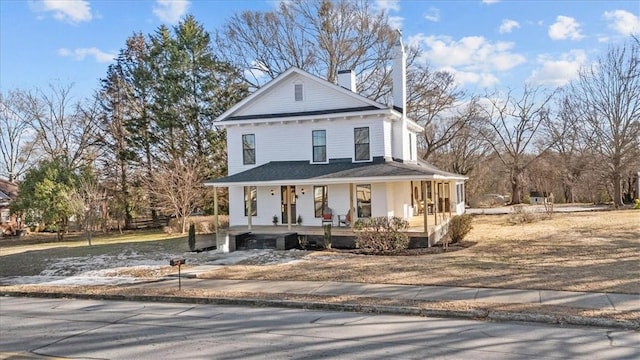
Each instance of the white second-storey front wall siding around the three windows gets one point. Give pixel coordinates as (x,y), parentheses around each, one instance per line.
(292,141)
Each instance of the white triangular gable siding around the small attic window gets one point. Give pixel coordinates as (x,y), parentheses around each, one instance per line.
(316,96)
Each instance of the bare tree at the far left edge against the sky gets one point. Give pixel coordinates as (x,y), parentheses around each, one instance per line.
(15,146)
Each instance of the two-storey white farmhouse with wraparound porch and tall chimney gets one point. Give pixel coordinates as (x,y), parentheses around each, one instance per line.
(301,147)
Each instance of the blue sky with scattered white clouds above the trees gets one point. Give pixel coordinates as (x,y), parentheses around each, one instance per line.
(485,43)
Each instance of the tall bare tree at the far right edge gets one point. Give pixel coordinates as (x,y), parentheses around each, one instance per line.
(608,94)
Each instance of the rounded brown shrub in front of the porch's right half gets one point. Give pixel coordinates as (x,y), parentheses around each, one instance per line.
(382,234)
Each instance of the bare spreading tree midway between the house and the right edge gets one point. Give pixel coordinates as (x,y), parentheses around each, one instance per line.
(512,130)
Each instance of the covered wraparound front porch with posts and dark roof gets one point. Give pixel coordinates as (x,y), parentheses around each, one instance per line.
(271,199)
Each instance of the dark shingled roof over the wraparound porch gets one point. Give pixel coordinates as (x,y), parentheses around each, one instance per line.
(336,171)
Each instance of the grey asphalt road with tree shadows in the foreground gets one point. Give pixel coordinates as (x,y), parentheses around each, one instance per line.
(92,329)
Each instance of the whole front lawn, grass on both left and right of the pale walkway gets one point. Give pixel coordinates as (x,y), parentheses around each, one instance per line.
(589,251)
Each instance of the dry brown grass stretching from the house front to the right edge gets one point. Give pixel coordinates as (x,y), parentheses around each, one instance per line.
(592,251)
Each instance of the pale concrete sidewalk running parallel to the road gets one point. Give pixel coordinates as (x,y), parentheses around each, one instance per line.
(584,300)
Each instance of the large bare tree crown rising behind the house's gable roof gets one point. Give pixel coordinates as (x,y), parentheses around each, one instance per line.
(320,37)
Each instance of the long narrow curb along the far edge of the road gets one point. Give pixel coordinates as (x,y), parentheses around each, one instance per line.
(490,315)
